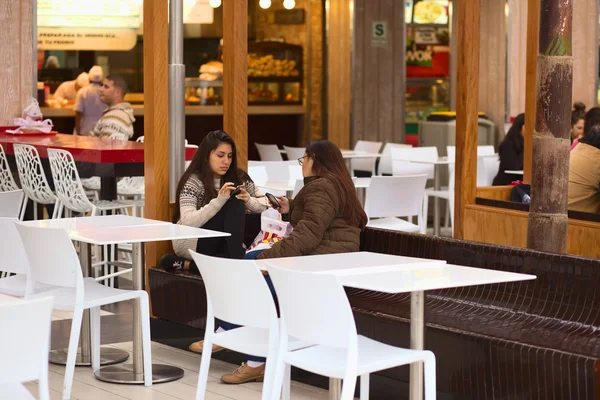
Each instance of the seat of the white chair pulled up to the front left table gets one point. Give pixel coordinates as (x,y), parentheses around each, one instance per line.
(95,295)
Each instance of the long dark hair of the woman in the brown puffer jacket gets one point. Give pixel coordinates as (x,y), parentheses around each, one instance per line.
(329,164)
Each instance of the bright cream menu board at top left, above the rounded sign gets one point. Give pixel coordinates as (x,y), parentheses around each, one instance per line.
(124,14)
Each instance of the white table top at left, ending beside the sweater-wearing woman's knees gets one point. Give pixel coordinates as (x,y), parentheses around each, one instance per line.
(140,234)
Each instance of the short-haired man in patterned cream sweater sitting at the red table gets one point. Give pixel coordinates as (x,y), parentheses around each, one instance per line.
(117,120)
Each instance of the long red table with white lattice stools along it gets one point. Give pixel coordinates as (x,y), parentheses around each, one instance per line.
(103,157)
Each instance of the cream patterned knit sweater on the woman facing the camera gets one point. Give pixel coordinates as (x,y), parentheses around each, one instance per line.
(194,213)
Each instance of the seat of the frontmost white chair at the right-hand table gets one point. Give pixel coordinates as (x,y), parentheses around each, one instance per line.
(372,356)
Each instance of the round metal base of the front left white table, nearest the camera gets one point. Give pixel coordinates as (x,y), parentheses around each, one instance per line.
(124,374)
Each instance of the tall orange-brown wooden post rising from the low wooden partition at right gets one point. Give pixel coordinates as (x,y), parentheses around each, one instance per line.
(467,95)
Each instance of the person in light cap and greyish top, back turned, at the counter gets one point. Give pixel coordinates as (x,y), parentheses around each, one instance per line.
(88,106)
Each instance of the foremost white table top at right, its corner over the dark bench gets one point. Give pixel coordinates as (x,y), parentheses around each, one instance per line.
(413,279)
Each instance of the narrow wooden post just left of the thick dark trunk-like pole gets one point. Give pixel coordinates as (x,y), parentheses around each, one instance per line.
(533,25)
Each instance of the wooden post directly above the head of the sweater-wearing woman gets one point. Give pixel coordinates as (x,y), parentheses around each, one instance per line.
(235,75)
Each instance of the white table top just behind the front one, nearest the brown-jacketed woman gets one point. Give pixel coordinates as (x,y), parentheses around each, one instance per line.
(345,264)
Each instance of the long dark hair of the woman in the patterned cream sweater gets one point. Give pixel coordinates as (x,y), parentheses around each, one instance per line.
(200,166)
